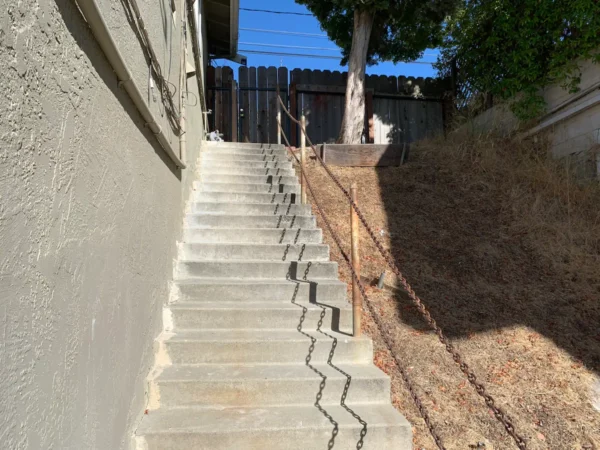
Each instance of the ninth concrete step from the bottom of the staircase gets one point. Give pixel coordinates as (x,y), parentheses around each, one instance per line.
(247,221)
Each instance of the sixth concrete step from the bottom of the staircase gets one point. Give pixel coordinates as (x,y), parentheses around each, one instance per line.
(257,270)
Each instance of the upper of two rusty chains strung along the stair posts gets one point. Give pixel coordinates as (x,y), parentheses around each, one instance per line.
(499,413)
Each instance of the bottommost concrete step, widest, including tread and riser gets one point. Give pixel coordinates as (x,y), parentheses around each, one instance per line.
(288,427)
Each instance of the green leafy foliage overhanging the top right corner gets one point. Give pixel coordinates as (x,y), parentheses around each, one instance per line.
(512,49)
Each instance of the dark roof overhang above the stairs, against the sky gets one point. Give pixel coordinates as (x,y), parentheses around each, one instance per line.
(222,25)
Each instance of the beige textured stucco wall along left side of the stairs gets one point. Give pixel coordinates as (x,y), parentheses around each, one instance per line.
(90,211)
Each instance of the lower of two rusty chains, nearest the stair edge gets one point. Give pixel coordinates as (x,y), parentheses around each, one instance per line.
(386,338)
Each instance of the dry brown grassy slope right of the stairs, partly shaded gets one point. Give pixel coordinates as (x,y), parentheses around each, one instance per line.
(503,245)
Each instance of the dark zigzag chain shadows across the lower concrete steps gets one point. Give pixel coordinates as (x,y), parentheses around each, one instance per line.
(292,276)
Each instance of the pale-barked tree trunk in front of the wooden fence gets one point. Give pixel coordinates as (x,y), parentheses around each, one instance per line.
(353,123)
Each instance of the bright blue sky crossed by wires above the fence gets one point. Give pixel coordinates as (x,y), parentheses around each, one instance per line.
(302,24)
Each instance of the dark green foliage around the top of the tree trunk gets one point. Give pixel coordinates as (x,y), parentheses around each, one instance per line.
(402,30)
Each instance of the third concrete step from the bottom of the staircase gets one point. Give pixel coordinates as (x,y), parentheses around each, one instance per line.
(222,346)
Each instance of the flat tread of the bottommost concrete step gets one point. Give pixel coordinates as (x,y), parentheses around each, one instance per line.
(238,419)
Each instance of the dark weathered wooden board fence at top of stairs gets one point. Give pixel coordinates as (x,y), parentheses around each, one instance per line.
(398,109)
